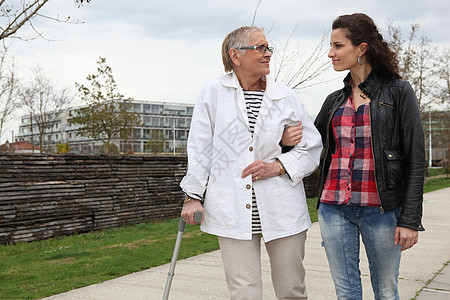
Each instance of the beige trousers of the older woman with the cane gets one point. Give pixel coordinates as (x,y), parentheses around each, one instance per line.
(242,264)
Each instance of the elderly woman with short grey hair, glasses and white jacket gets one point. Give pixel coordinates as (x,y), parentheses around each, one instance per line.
(236,169)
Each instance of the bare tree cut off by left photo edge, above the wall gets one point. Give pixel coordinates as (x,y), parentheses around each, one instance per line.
(8,90)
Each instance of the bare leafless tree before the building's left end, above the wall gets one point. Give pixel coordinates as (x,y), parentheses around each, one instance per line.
(43,103)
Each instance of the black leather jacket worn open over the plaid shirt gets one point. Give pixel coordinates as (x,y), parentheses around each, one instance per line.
(397,143)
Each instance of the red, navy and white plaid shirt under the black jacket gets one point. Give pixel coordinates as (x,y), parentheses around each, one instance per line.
(351,176)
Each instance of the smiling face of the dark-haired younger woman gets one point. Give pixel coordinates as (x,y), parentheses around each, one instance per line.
(343,54)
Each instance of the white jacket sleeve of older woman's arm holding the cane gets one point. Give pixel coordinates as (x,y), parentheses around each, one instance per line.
(199,147)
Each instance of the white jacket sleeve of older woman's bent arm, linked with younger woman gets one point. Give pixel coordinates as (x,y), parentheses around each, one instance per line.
(304,158)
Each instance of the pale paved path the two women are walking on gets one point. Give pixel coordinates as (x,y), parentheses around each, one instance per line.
(202,277)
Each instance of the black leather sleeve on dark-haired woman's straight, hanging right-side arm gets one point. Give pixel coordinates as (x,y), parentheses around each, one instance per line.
(413,146)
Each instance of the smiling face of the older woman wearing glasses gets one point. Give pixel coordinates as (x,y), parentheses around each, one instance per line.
(254,63)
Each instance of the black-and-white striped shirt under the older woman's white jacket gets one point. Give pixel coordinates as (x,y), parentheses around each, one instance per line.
(253,100)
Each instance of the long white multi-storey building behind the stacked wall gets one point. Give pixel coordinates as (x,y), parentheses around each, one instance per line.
(164,129)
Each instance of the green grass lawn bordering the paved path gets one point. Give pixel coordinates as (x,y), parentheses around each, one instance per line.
(43,268)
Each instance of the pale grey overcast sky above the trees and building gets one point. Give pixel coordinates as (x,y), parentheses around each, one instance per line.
(166,50)
